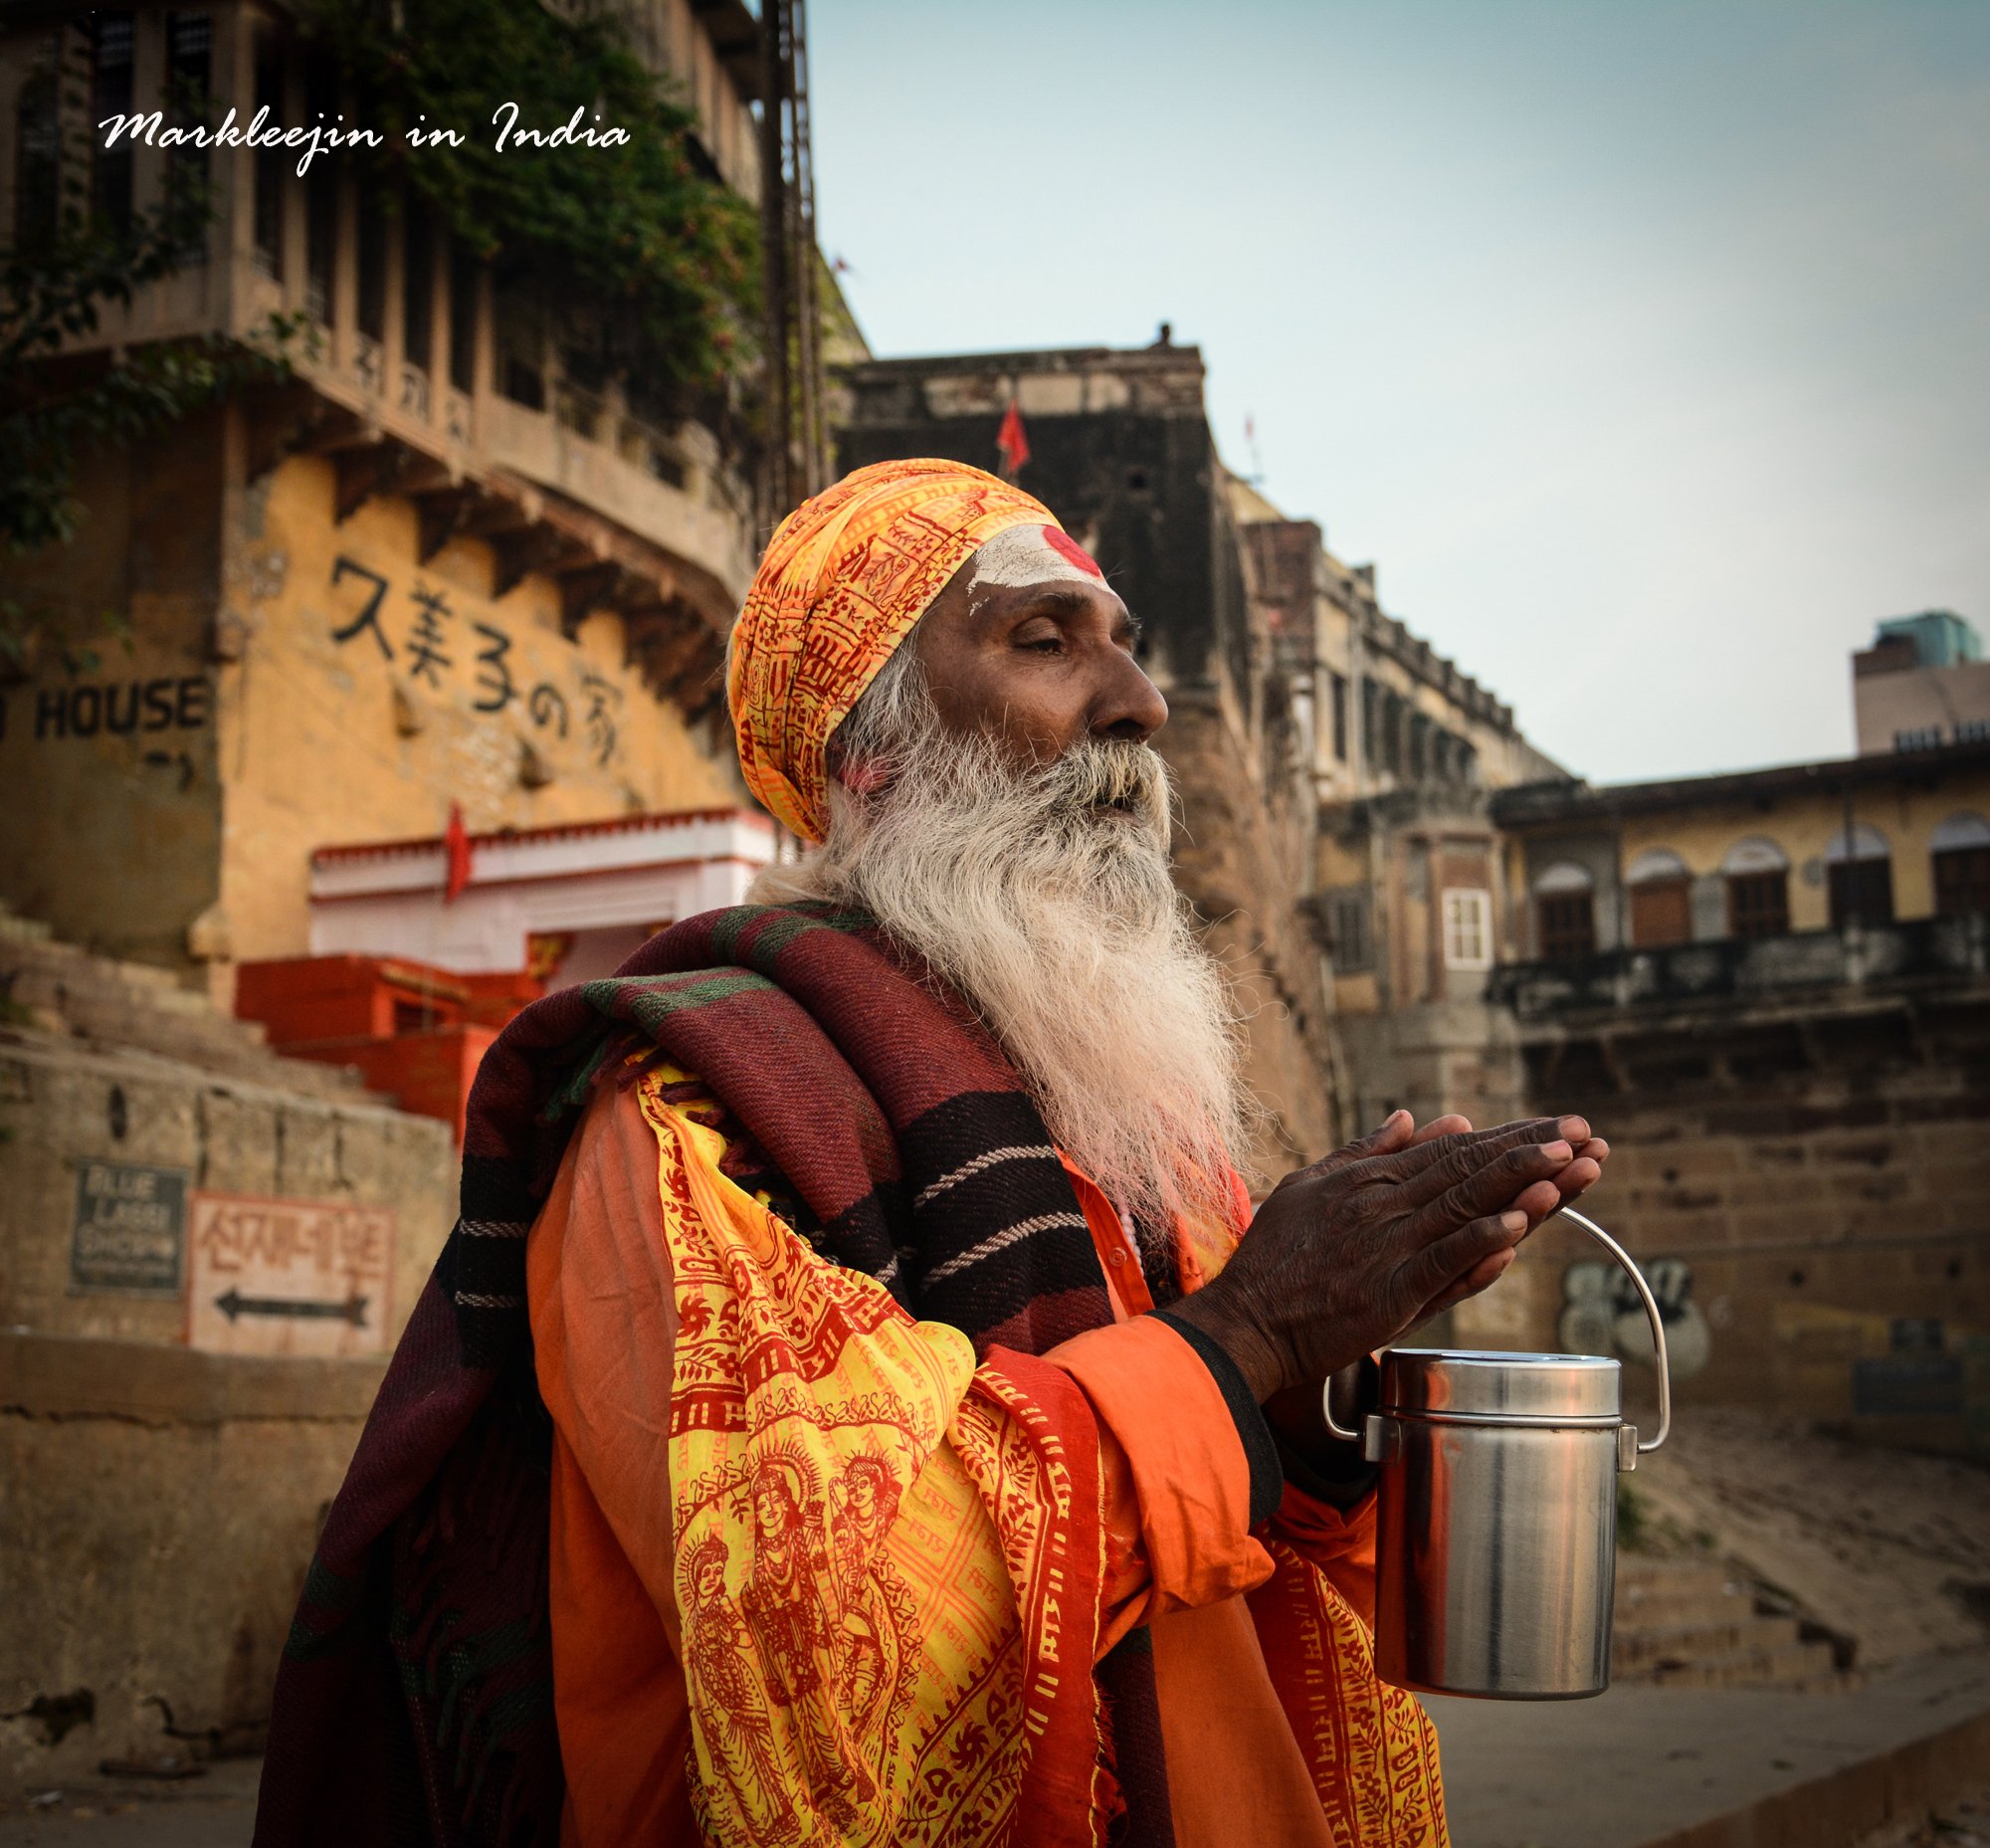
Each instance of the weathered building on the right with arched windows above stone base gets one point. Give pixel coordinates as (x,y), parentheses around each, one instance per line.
(1772,993)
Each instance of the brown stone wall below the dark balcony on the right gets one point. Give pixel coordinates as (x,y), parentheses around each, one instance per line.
(1810,1192)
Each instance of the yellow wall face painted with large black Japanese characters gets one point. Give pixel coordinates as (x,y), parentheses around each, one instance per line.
(375,692)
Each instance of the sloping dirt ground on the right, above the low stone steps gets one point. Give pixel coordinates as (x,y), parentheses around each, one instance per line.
(1886,1548)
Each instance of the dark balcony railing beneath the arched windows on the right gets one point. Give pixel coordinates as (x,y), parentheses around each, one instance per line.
(1921,951)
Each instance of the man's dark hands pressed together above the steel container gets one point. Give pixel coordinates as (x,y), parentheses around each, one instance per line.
(1350,1254)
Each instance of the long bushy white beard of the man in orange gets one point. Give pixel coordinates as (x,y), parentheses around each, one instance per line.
(1064,929)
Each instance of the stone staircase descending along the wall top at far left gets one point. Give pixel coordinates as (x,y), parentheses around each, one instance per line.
(59,989)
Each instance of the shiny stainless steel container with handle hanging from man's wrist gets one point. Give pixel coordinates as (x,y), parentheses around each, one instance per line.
(1495,1554)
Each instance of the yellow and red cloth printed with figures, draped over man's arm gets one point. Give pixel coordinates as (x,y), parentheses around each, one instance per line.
(883,1586)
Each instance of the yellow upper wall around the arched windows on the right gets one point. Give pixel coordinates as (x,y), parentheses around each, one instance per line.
(1804,827)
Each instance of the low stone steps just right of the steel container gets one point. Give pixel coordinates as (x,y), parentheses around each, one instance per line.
(1702,1624)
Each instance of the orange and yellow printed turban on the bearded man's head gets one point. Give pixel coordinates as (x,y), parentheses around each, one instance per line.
(841,586)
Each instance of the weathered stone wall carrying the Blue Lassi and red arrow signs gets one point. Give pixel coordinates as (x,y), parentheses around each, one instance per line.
(168,1497)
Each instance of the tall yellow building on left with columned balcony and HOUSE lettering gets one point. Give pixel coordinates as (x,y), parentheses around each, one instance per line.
(451,563)
